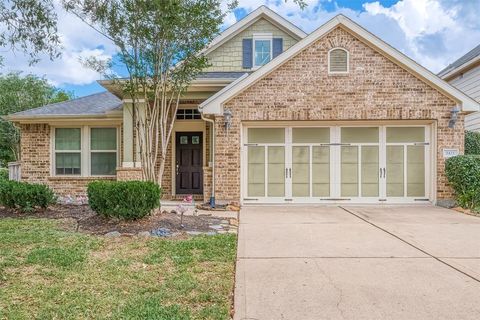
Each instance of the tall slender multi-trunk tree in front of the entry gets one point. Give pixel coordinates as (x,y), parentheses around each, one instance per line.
(160,43)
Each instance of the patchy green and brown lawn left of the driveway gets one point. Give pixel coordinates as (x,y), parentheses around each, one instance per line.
(46,273)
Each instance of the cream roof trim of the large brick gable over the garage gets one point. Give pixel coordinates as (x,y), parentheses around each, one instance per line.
(214,105)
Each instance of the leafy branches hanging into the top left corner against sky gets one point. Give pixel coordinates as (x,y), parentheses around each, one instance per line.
(29,26)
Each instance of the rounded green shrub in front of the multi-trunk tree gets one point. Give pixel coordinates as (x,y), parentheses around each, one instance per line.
(123,199)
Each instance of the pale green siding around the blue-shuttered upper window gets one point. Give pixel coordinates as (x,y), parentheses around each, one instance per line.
(228,57)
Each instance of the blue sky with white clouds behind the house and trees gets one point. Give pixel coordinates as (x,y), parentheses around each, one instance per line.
(432,32)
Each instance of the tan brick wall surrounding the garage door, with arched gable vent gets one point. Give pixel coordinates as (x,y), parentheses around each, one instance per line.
(301,89)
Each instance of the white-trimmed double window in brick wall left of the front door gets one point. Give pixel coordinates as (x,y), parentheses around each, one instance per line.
(85,151)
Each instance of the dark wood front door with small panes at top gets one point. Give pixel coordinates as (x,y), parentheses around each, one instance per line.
(189,163)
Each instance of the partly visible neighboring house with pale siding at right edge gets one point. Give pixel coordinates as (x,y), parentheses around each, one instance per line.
(464,74)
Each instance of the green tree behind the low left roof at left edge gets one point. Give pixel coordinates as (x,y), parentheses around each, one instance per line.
(18,93)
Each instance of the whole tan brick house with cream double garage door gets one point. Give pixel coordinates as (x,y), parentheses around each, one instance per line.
(336,116)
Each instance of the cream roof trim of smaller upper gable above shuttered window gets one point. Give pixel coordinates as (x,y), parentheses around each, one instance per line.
(262,12)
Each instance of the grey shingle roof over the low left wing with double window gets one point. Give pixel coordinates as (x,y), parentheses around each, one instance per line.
(95,104)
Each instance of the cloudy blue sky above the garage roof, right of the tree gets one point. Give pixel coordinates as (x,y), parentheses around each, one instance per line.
(432,32)
